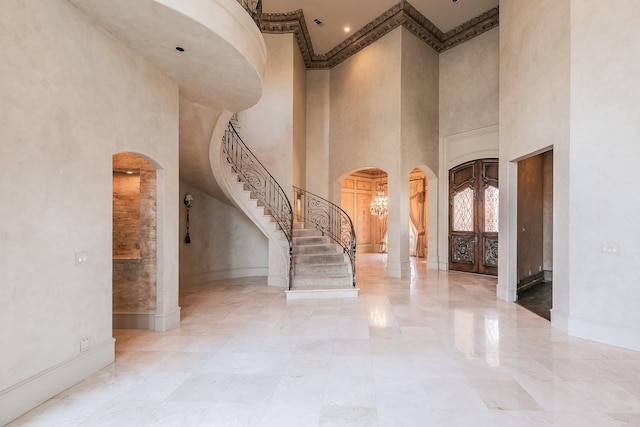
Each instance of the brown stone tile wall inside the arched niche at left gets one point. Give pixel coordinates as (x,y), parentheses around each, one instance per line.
(134,241)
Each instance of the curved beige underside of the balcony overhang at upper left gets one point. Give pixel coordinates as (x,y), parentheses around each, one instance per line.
(206,31)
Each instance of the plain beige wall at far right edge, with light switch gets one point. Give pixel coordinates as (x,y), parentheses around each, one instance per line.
(605,131)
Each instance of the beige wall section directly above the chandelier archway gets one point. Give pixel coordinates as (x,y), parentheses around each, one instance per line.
(365,109)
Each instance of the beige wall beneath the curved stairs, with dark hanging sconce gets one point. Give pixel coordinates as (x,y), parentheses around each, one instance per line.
(224,241)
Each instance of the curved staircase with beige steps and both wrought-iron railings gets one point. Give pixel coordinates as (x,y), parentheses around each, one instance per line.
(308,257)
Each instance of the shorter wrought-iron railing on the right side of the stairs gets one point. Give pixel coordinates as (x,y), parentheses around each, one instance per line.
(328,218)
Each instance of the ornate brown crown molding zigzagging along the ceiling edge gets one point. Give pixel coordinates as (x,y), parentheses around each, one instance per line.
(402,14)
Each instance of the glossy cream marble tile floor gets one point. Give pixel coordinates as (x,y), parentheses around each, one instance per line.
(435,350)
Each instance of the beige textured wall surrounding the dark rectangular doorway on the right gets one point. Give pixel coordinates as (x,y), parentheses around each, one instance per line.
(534,115)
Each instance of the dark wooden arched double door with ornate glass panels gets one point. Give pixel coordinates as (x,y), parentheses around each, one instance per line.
(473,217)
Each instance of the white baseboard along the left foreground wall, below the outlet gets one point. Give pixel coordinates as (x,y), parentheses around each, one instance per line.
(33,391)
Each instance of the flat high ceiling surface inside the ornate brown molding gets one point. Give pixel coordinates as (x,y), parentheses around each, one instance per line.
(337,14)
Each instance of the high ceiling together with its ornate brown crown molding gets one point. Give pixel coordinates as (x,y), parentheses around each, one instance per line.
(320,26)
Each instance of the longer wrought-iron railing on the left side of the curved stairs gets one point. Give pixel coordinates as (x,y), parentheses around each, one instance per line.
(262,184)
